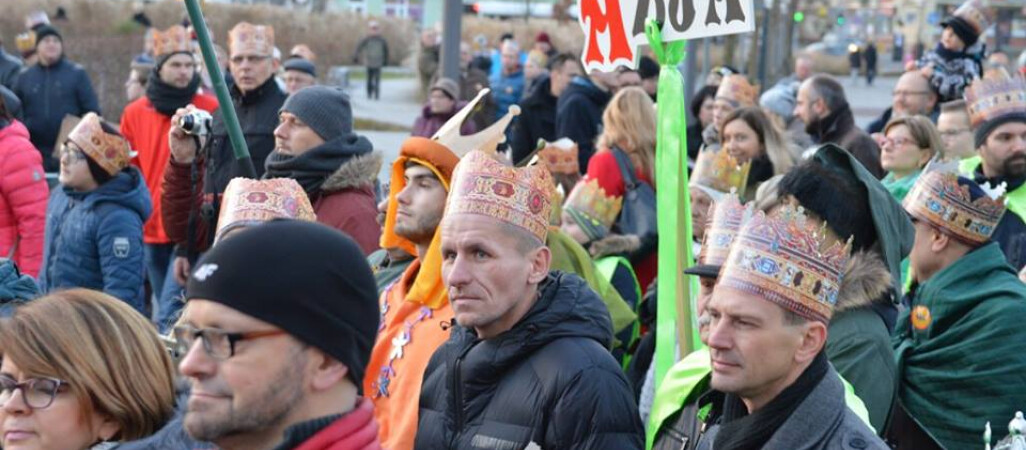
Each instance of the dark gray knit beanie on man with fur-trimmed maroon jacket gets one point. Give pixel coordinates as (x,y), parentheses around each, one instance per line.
(324,109)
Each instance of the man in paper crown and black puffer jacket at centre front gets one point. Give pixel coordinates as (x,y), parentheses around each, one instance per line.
(514,317)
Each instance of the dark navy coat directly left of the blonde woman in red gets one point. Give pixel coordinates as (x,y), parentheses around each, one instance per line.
(579,116)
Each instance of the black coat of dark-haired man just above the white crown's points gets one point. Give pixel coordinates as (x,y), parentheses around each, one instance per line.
(538,119)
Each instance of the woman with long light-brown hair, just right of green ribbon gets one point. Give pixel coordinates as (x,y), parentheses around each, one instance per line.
(749,136)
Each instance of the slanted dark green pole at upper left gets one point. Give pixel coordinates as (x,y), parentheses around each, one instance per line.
(227,107)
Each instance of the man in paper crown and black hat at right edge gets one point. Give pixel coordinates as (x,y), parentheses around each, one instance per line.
(998,116)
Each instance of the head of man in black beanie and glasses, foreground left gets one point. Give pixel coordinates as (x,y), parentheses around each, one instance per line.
(275,339)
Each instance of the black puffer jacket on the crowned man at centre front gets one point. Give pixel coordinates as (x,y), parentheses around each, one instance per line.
(549,381)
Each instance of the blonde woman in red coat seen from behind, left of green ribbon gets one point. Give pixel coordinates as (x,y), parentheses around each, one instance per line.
(628,129)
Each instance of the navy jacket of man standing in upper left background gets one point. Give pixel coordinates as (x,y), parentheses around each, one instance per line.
(48,95)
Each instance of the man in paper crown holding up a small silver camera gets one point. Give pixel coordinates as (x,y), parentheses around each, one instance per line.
(257,100)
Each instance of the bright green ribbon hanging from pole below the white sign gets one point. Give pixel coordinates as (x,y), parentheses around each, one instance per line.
(675,218)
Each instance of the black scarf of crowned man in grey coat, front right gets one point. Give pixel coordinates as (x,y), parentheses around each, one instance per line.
(742,431)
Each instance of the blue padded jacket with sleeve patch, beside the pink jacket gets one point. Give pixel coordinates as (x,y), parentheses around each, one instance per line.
(95,239)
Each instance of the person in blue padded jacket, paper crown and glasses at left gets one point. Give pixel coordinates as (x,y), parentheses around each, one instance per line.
(94,236)
